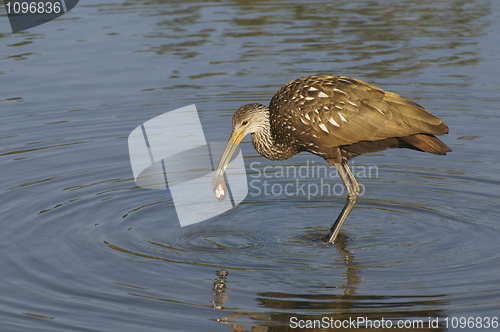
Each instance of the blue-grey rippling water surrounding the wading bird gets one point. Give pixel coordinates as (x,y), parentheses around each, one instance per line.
(84,249)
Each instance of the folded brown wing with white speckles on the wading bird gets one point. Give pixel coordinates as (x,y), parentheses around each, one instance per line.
(337,110)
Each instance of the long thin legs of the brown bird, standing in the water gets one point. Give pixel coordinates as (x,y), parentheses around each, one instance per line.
(353,190)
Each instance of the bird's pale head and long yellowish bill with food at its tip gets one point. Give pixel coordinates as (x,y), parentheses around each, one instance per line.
(248,119)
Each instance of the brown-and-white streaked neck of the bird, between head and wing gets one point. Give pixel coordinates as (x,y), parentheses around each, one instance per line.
(266,144)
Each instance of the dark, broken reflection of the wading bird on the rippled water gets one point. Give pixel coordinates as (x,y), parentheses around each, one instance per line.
(281,307)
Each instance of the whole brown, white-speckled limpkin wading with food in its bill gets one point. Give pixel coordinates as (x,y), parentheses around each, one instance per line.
(337,118)
